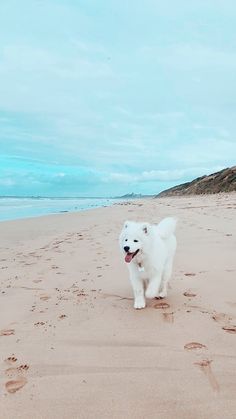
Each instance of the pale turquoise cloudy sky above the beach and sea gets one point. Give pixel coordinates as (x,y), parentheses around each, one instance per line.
(108,97)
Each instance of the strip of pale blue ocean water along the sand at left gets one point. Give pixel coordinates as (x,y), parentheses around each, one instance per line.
(15,208)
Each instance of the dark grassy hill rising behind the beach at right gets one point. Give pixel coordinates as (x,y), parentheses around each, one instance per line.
(223,181)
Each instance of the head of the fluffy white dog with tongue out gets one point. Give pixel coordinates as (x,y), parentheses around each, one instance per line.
(133,238)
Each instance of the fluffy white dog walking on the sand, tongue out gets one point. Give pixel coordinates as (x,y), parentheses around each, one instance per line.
(149,252)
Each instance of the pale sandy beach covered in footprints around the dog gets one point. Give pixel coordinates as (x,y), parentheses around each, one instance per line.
(71,344)
